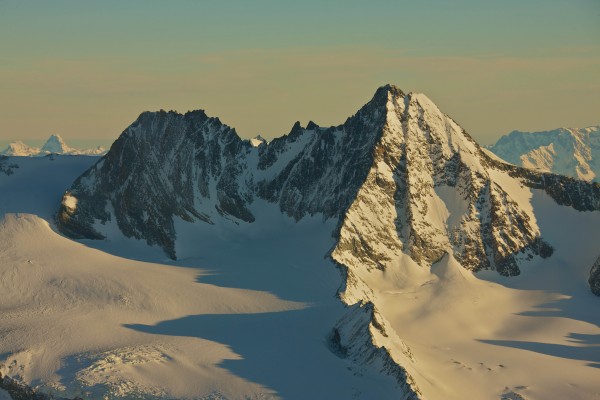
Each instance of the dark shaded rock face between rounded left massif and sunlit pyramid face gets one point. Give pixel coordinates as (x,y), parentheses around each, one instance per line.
(327,165)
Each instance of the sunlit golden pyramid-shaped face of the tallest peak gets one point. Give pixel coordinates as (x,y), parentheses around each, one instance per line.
(436,193)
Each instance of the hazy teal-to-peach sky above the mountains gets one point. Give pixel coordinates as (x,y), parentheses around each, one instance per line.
(87,69)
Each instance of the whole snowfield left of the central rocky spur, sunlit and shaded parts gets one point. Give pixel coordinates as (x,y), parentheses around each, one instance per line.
(244,313)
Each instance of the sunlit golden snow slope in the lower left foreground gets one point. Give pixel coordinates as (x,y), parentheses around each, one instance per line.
(65,310)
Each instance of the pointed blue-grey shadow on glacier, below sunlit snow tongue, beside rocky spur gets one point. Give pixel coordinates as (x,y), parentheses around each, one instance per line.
(285,351)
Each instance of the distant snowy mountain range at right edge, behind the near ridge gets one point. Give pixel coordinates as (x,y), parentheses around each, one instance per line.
(567,151)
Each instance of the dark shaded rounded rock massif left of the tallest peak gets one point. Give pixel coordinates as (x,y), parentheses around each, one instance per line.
(164,165)
